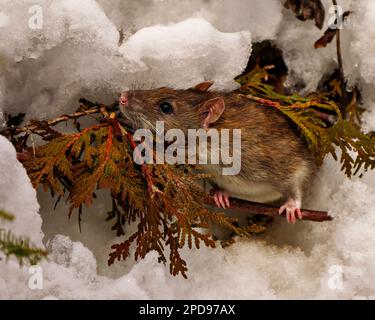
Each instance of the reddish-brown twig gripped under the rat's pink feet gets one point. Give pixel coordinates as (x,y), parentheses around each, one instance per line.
(269,210)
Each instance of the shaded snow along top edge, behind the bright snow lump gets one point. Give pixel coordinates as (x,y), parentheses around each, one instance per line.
(226,16)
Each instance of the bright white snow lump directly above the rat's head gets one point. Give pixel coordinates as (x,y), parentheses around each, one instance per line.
(189,45)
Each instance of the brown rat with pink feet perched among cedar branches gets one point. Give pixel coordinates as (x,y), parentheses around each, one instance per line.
(275,159)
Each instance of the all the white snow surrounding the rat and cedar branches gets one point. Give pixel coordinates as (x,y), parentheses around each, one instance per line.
(179,43)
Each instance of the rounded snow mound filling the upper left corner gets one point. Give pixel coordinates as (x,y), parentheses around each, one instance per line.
(60,21)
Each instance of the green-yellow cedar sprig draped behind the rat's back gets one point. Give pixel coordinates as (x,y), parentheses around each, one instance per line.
(357,148)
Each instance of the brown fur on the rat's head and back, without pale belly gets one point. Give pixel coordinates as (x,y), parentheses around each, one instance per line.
(273,153)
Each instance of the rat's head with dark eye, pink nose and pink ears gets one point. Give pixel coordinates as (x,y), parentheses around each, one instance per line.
(183,109)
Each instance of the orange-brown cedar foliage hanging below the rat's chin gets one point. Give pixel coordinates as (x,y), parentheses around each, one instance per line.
(165,201)
